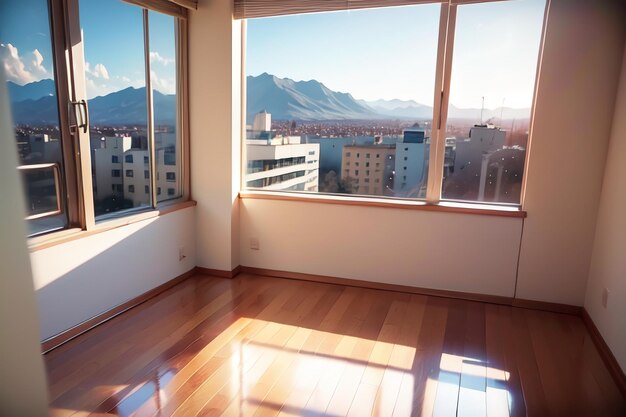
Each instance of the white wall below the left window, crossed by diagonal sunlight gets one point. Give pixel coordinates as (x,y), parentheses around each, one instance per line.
(80,279)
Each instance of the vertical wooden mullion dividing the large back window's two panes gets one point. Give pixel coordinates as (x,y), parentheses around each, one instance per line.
(440,109)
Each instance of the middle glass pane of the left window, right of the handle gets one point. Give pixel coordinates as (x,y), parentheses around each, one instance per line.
(115,75)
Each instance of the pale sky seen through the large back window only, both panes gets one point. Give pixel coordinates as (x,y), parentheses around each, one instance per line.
(390,53)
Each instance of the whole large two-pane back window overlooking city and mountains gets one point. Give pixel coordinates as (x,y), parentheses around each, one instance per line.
(426,101)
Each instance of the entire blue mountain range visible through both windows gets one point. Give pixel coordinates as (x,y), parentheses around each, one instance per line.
(284,98)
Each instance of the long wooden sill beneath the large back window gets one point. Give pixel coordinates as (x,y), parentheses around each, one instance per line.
(443,207)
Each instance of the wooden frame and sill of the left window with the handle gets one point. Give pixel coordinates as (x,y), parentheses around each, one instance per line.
(76,183)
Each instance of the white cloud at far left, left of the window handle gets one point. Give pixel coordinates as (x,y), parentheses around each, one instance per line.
(22,69)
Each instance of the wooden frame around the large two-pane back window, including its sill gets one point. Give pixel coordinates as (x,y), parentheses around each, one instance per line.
(434,186)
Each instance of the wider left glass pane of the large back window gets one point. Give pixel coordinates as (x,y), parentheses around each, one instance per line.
(342,102)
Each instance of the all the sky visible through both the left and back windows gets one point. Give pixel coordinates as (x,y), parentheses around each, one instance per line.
(372,54)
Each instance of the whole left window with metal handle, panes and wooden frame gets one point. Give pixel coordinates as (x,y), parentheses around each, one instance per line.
(98,120)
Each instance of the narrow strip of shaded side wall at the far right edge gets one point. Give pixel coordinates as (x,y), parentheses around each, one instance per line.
(608,264)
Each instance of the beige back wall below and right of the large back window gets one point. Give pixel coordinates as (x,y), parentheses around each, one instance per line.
(575,99)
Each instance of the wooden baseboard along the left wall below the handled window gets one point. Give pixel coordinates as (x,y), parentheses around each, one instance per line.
(64,337)
